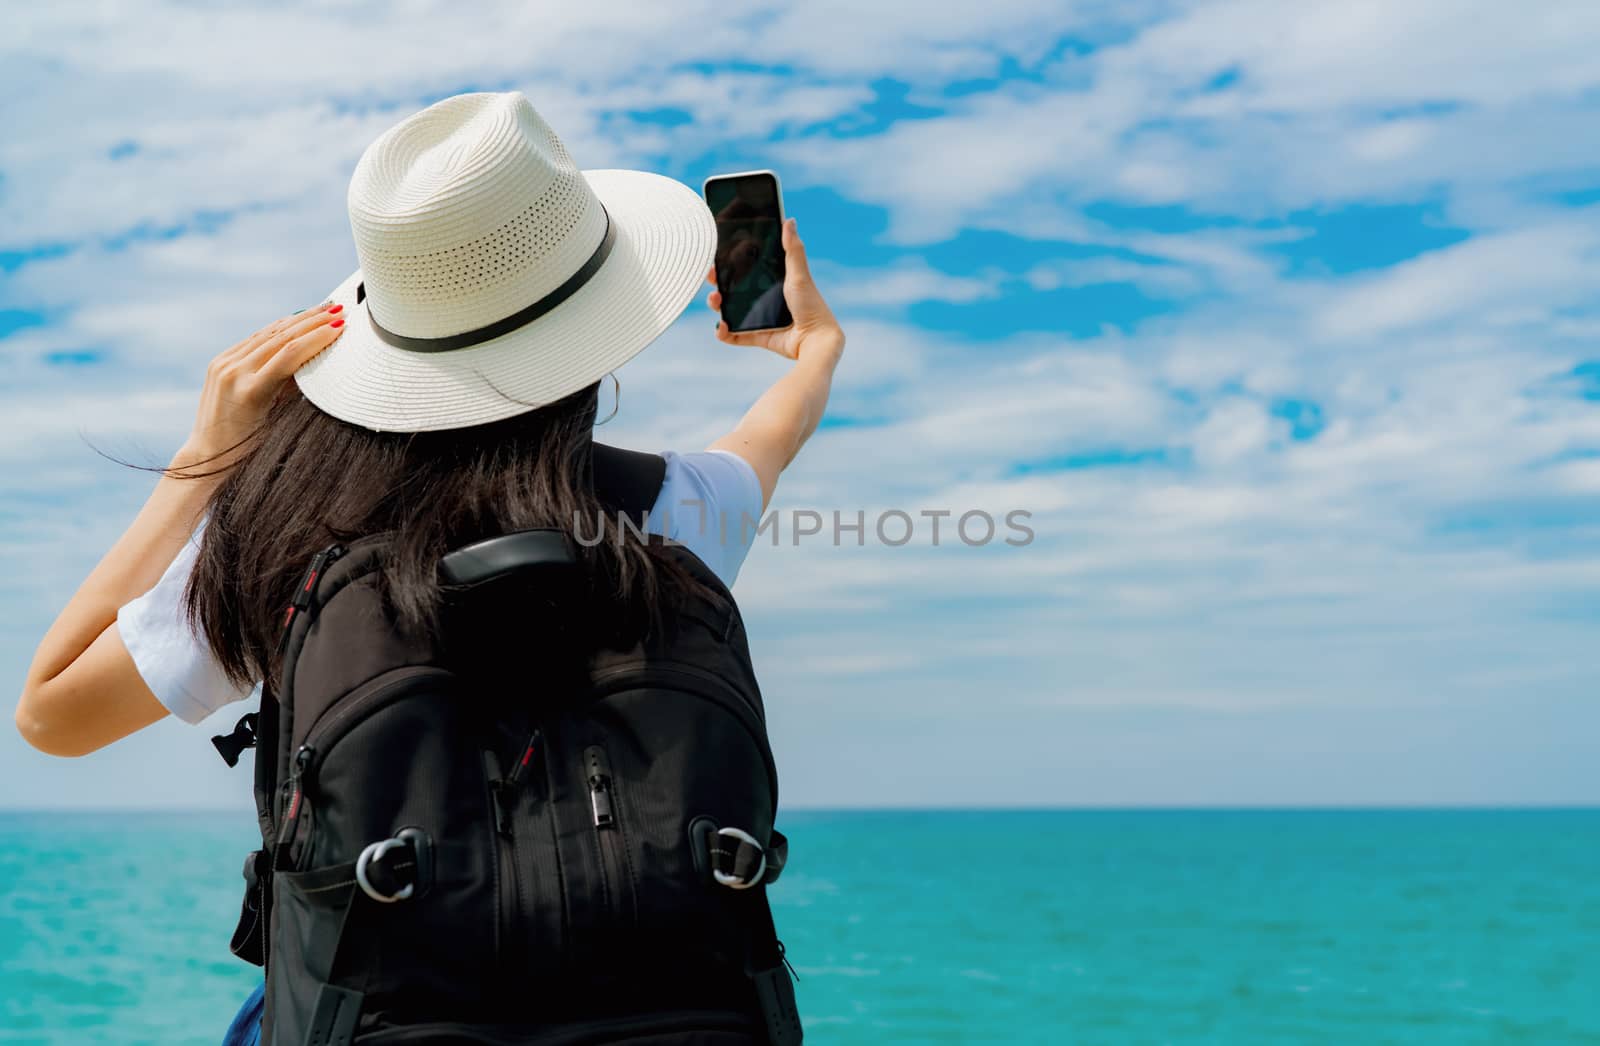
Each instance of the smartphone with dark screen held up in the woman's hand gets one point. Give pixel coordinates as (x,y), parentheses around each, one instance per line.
(750,212)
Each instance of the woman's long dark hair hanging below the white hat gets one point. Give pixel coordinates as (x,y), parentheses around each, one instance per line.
(311,481)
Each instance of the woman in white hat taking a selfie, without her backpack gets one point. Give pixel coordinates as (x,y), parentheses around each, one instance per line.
(446,393)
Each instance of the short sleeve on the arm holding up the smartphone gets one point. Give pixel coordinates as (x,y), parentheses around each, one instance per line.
(711,501)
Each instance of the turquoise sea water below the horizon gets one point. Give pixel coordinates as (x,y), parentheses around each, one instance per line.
(1428,927)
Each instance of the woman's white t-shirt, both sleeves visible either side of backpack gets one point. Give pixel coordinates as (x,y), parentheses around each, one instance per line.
(705,503)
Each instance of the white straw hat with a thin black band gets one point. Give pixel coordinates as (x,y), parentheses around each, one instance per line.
(497,277)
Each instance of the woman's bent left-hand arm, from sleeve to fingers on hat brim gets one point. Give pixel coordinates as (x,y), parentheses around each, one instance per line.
(82,690)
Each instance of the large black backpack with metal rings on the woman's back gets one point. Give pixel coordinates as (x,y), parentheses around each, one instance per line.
(518,836)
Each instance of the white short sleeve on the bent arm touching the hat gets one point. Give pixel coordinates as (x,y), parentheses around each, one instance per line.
(172,658)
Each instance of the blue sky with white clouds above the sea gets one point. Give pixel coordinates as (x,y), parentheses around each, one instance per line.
(1279,321)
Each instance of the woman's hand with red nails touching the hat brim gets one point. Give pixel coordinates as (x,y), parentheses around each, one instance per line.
(242,383)
